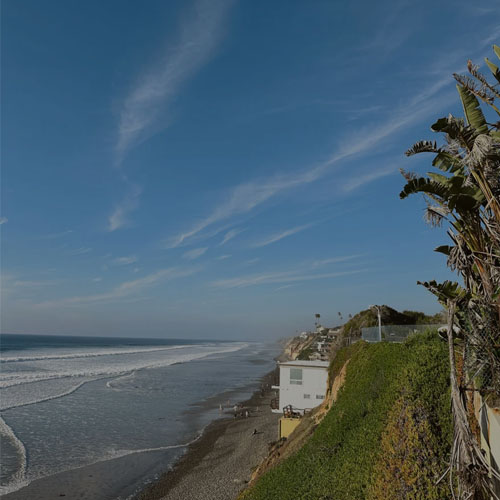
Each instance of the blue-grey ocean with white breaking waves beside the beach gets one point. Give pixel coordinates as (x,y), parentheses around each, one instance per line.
(69,402)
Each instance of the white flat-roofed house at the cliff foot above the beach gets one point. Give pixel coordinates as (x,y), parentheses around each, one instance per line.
(302,384)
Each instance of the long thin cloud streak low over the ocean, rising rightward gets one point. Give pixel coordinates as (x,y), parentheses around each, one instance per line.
(123,290)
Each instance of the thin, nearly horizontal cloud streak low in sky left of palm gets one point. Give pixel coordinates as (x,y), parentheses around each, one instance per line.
(278,277)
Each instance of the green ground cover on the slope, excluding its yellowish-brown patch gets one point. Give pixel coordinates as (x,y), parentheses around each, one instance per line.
(338,461)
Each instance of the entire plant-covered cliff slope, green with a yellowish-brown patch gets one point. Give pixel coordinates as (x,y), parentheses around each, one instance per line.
(391,415)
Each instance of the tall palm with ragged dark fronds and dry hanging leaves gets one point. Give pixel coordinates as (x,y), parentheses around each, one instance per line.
(466,196)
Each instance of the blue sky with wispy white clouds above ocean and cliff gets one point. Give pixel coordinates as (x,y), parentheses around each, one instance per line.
(221,169)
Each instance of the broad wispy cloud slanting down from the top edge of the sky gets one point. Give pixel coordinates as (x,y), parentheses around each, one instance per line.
(148,101)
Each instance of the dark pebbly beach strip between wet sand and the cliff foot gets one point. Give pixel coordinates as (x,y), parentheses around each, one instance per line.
(219,465)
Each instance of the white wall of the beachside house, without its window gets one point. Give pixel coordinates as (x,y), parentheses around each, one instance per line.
(314,380)
